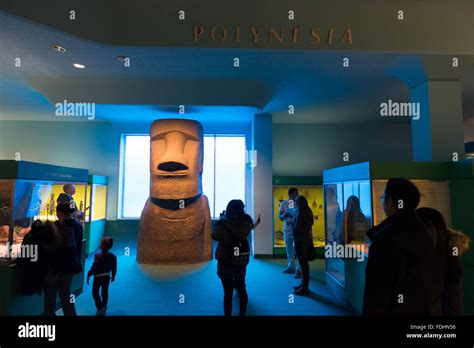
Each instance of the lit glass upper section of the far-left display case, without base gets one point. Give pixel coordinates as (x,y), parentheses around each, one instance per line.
(29,191)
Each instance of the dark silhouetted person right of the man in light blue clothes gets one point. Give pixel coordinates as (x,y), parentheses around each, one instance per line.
(303,223)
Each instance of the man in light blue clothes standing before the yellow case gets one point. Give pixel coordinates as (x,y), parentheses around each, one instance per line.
(286,214)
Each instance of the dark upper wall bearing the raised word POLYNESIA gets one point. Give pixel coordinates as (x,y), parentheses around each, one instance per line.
(374,23)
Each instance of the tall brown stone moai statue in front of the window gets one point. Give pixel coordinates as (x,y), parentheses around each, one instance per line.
(175,225)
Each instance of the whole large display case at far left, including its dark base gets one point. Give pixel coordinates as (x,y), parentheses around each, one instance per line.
(29,191)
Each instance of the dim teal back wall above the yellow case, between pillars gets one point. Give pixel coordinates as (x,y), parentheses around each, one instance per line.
(308,149)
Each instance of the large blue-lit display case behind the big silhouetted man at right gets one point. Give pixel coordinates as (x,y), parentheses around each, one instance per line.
(353,204)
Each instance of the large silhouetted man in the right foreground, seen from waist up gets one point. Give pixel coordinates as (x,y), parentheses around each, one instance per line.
(400,277)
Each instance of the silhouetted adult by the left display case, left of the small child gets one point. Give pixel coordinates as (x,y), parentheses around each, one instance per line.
(65,262)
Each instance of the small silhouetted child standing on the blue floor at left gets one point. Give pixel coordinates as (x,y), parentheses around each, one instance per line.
(104,264)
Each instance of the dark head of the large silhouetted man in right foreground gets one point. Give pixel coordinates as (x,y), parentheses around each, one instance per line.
(401,195)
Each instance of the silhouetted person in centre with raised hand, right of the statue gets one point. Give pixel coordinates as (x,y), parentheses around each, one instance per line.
(233,252)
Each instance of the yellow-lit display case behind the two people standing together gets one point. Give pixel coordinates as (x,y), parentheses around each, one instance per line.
(311,188)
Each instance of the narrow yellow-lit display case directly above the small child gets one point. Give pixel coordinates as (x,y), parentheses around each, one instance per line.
(96,202)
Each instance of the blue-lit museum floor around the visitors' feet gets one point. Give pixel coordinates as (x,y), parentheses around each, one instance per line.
(156,290)
